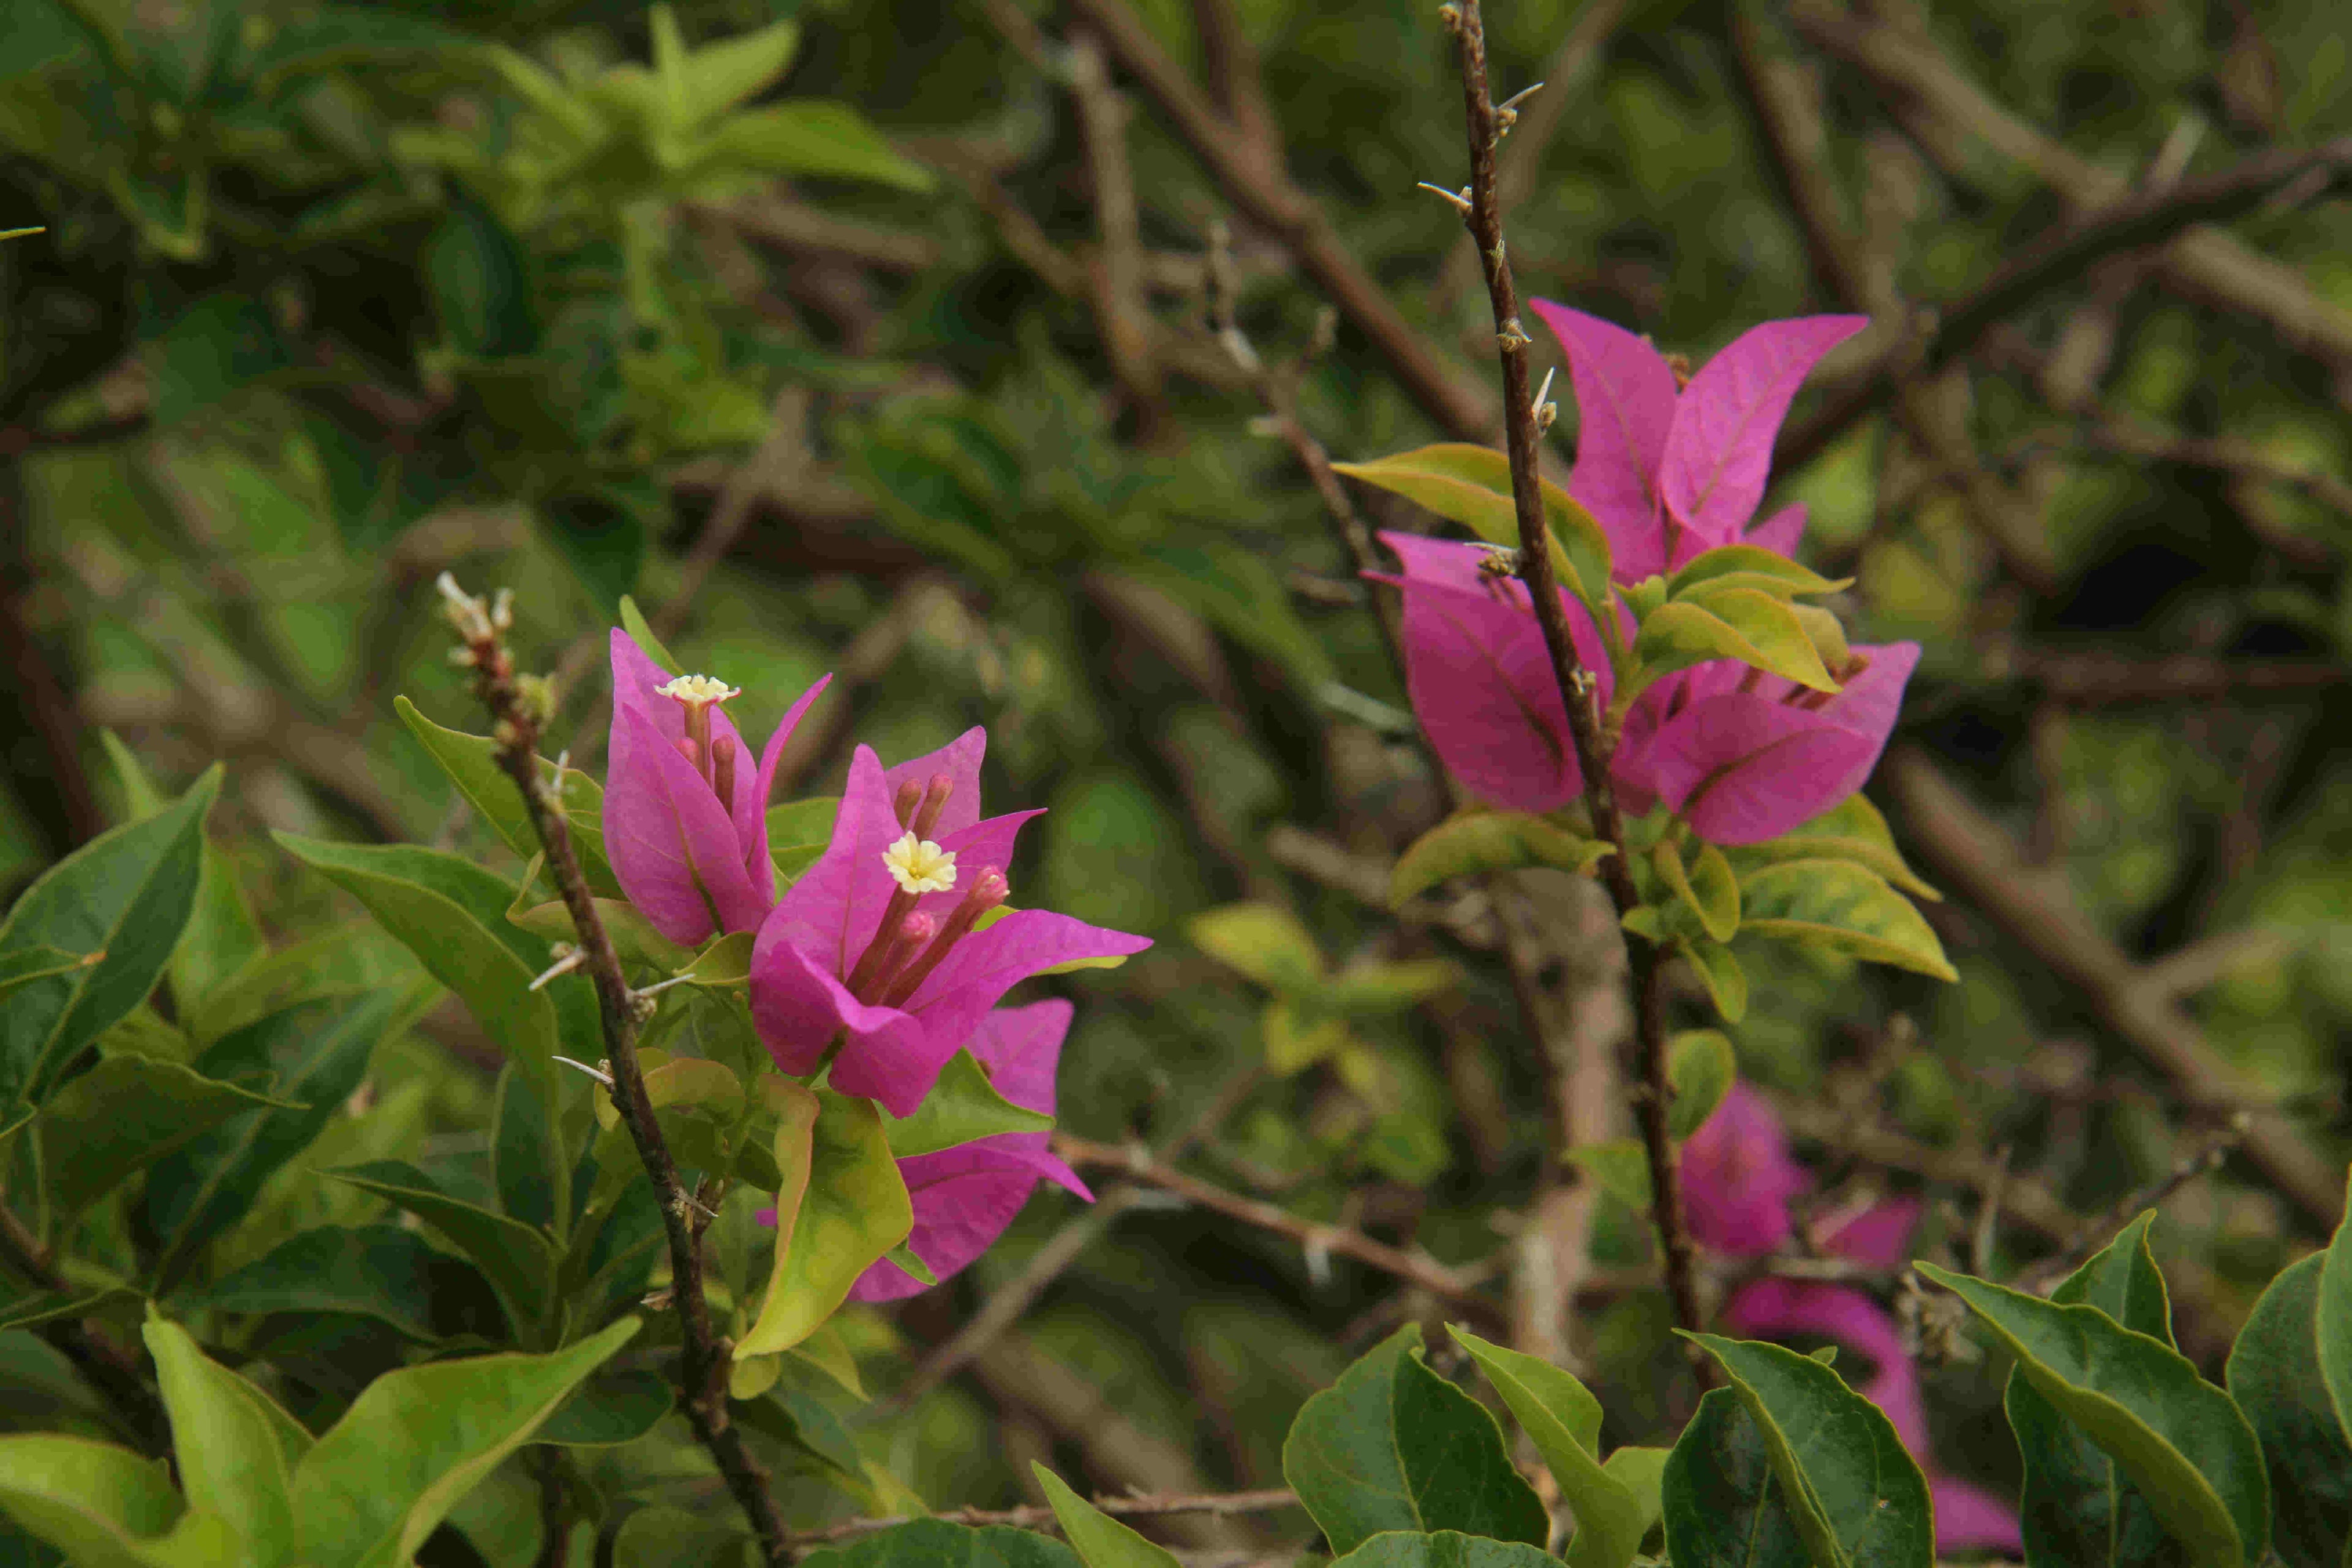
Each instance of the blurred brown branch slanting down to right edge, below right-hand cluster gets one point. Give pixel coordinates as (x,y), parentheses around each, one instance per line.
(2038,909)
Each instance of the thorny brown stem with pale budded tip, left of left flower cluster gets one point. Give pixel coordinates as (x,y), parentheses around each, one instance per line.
(702,1367)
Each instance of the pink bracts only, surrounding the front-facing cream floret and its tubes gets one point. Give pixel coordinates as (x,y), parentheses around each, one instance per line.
(820,930)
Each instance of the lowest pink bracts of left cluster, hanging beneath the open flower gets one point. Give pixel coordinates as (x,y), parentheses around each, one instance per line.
(965,1198)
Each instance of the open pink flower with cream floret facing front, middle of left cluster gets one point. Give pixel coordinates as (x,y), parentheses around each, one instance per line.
(878,958)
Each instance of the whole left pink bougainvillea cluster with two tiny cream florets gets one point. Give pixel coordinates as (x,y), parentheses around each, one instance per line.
(886,958)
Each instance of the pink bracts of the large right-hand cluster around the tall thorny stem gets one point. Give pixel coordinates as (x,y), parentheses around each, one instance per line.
(1669,471)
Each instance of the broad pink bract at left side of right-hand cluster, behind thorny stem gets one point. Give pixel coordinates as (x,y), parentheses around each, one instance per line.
(1481,678)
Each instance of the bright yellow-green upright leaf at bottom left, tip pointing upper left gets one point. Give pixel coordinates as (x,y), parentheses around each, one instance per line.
(236,1449)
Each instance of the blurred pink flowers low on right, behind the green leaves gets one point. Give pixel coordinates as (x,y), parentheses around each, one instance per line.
(1737,1181)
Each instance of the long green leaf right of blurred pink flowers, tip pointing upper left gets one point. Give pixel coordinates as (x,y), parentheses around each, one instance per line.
(2179,1440)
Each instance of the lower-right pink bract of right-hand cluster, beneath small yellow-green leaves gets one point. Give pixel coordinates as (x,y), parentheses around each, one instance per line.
(1746,756)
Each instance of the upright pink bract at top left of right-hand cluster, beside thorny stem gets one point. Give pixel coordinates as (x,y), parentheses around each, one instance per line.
(1624,408)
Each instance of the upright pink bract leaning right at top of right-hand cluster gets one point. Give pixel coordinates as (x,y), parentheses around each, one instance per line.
(1718,448)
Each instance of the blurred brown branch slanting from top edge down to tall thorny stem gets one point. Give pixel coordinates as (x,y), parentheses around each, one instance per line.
(1257,182)
